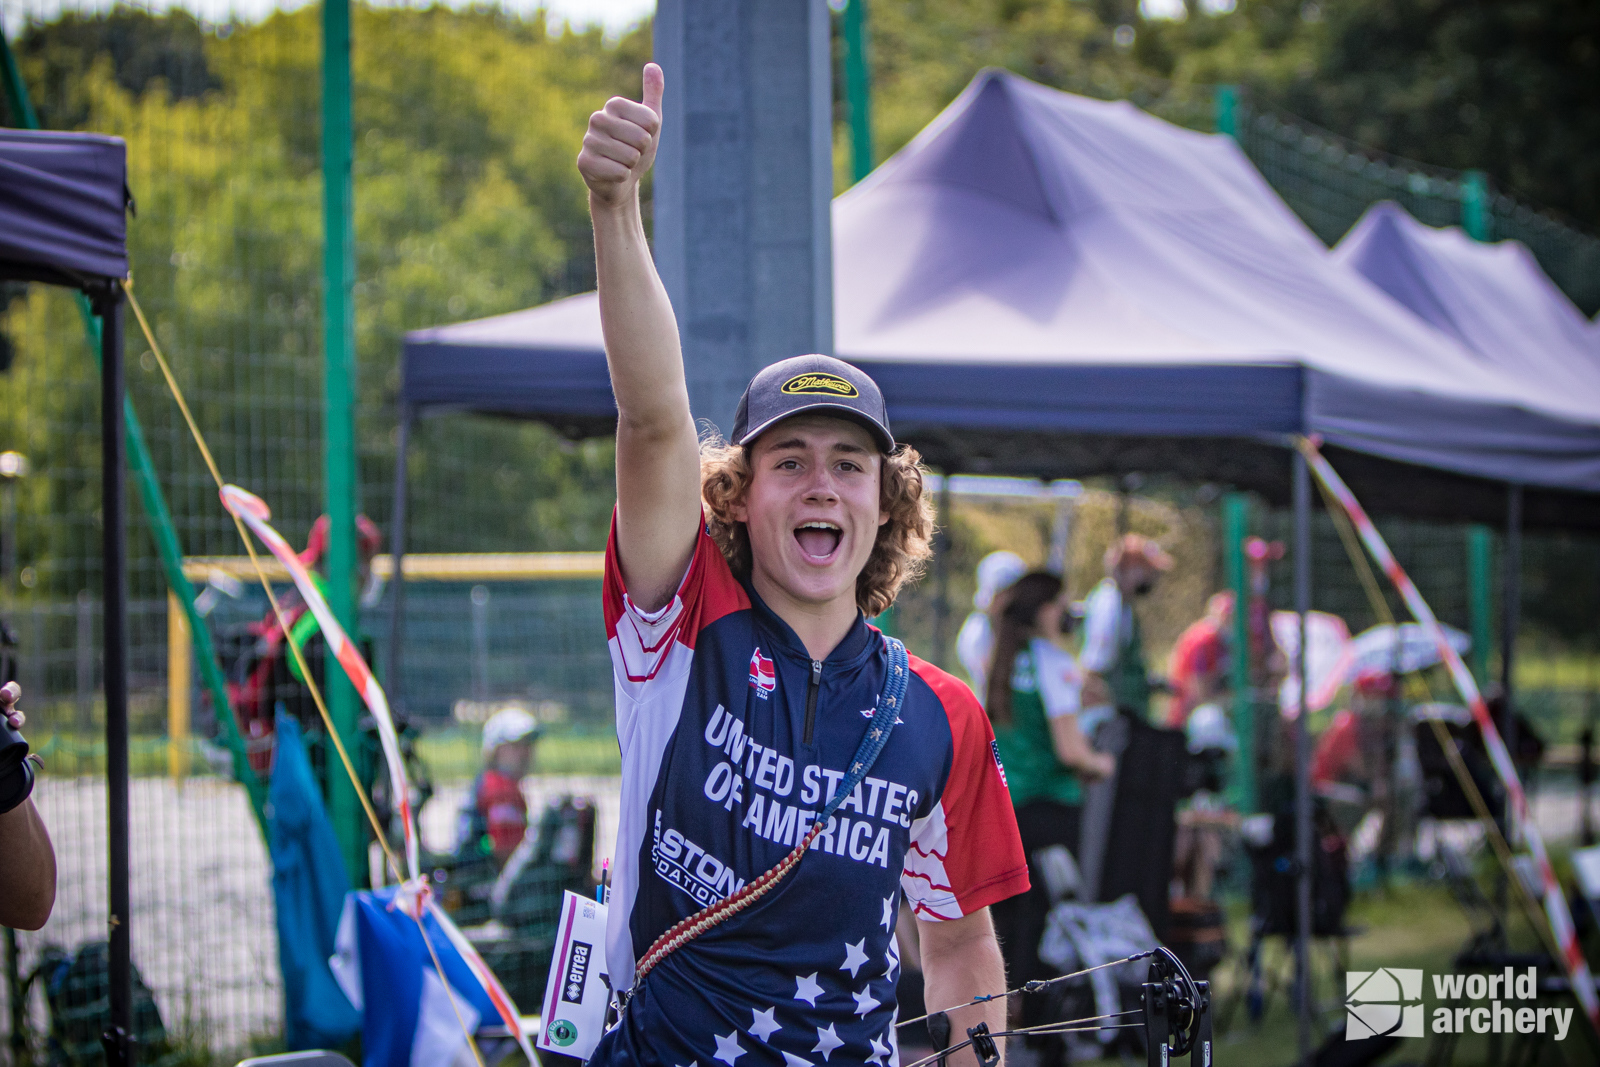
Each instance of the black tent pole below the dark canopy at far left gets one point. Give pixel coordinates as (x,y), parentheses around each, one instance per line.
(114,580)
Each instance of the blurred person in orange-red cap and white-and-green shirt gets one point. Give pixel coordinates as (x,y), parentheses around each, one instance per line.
(1113,637)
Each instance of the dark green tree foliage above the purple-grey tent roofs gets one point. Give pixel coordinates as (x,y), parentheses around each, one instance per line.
(1511,87)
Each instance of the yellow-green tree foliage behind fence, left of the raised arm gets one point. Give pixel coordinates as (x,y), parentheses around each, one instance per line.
(466,206)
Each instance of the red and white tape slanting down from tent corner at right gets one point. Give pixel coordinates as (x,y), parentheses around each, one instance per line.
(1500,756)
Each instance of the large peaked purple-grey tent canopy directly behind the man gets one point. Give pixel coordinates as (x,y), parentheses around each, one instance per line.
(1038,262)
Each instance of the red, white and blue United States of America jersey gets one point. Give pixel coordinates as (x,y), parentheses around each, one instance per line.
(934,853)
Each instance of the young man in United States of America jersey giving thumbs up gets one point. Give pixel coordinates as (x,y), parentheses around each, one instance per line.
(746,676)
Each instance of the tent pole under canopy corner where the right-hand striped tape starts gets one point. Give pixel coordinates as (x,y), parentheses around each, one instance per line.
(1303,836)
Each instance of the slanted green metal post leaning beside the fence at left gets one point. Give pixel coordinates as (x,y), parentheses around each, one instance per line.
(166,535)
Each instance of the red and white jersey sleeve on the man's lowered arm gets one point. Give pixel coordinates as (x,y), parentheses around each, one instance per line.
(969,853)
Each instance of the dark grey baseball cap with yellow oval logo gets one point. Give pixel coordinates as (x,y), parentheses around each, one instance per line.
(812,383)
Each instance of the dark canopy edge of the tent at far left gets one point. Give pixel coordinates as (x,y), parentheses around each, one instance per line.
(63,201)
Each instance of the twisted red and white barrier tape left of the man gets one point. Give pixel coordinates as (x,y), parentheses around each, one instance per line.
(417,893)
